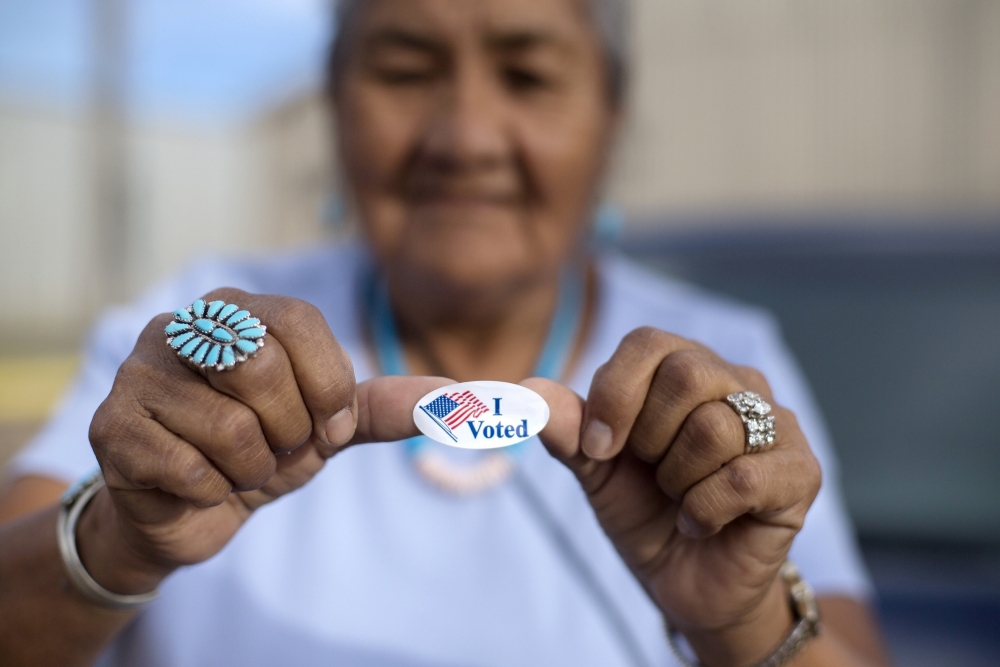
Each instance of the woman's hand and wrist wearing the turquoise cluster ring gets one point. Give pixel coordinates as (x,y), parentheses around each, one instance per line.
(189,455)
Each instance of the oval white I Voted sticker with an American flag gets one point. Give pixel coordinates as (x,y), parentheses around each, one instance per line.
(481,415)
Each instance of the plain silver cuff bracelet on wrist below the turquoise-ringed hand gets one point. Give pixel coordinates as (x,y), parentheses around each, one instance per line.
(72,504)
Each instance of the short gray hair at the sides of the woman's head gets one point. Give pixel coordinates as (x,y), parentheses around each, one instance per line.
(611,21)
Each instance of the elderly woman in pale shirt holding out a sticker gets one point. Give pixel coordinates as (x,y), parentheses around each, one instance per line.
(646,528)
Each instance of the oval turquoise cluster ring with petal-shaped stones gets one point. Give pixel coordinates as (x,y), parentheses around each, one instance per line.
(216,335)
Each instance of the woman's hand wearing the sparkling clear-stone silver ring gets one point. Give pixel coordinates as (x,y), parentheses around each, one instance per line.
(702,525)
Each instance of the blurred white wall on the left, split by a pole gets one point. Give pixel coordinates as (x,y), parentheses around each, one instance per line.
(191,192)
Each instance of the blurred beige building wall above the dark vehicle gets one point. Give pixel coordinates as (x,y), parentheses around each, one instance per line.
(776,104)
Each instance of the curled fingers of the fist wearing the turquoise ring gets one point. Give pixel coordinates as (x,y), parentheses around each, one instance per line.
(169,437)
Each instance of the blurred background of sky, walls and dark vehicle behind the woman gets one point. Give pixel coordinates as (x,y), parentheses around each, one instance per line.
(835,162)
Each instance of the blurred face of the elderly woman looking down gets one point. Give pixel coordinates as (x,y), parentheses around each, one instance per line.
(473,134)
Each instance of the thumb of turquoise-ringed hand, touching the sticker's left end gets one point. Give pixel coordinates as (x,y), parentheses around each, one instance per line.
(385,406)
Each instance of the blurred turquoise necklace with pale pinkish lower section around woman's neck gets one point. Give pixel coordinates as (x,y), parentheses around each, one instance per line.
(494,467)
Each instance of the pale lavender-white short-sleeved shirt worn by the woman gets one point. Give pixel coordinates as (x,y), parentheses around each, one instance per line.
(368,565)
